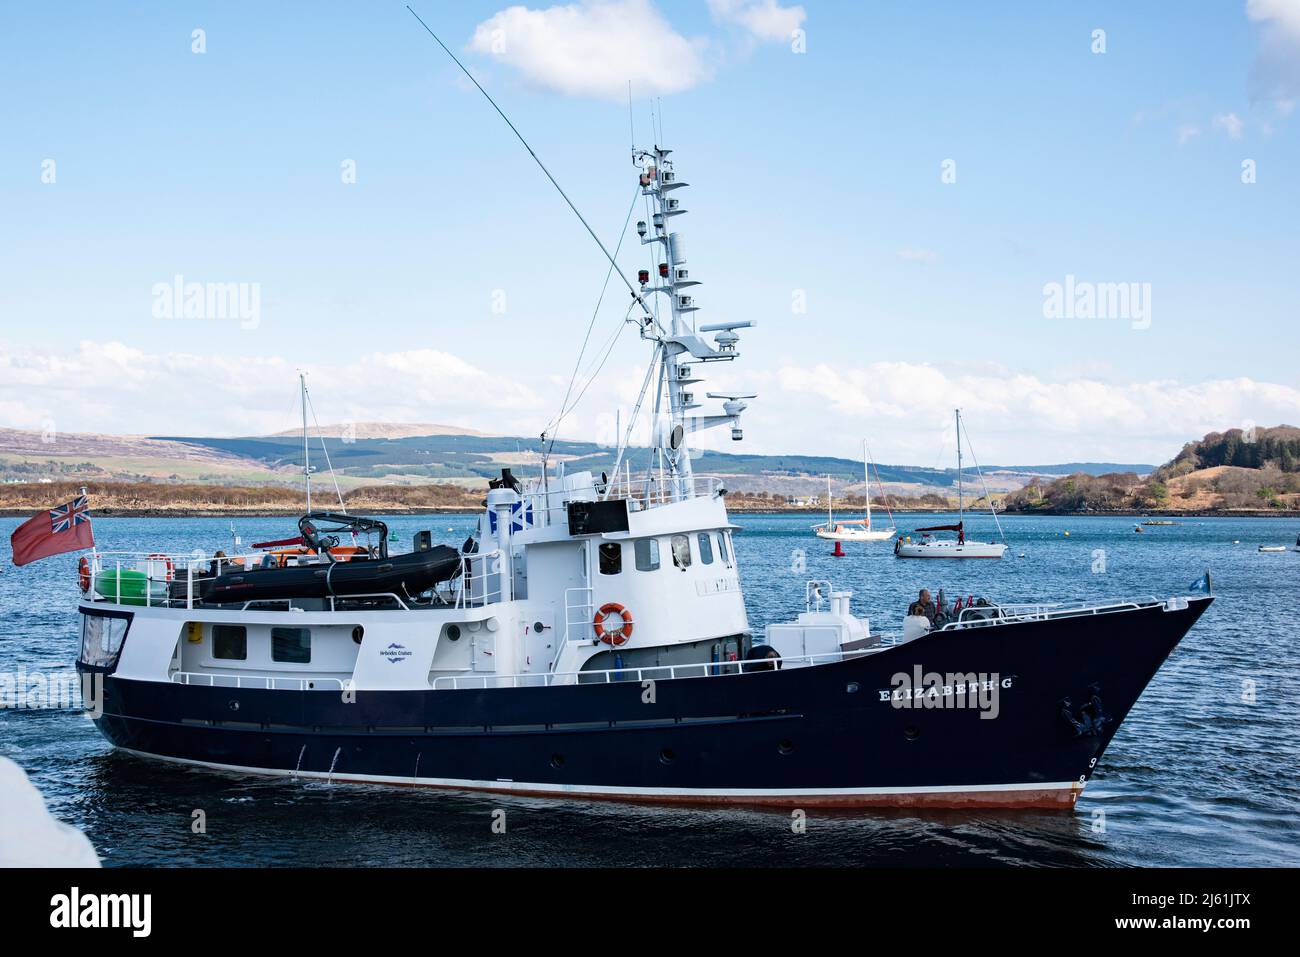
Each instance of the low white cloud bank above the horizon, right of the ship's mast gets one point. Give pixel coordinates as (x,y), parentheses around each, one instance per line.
(1015,418)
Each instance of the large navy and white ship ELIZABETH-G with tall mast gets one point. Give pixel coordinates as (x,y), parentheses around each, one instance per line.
(593,644)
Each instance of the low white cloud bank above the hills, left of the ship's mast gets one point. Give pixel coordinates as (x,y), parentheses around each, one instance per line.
(107,387)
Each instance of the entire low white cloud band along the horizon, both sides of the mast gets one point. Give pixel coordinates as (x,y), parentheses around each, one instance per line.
(904,408)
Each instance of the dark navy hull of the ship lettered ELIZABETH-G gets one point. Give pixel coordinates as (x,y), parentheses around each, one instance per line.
(824,735)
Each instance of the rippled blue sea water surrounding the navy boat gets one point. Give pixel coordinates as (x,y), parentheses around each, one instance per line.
(1195,777)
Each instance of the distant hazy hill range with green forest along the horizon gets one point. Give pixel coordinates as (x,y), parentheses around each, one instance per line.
(371,454)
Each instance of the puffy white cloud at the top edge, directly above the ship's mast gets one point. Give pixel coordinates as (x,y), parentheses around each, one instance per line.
(593,49)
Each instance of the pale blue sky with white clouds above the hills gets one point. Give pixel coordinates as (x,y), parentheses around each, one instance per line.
(915,203)
